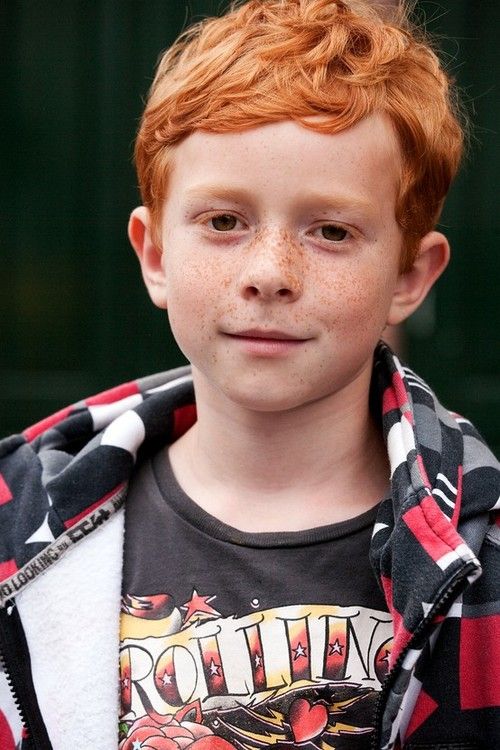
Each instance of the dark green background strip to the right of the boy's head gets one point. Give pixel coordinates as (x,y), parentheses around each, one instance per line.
(454,342)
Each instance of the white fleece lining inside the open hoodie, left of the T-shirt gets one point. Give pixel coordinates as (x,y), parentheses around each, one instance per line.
(71,617)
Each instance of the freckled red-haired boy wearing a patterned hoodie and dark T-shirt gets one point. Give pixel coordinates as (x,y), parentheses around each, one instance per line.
(293,158)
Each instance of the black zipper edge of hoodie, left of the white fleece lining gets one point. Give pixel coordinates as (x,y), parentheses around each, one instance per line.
(14,656)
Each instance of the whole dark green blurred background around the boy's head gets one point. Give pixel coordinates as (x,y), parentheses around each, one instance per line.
(74,316)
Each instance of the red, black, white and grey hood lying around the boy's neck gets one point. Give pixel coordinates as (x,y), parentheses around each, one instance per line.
(68,474)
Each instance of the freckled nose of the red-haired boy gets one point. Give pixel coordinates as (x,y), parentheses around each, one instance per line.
(274,268)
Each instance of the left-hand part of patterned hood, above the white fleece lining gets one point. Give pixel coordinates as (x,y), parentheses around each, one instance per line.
(75,466)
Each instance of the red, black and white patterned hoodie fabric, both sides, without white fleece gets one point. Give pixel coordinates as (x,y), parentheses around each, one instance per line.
(435,545)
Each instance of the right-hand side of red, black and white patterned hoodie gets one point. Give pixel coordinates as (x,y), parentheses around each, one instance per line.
(435,548)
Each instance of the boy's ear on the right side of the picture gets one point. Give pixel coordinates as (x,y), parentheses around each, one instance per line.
(413,285)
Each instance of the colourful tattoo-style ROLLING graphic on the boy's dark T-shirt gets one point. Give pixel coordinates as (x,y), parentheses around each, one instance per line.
(271,678)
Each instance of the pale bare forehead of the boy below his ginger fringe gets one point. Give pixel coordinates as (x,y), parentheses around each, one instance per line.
(362,161)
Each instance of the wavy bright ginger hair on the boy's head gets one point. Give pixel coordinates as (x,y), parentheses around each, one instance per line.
(271,60)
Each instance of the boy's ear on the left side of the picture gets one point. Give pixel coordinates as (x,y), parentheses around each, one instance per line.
(149,254)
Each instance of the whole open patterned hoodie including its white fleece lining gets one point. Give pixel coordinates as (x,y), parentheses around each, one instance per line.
(435,551)
